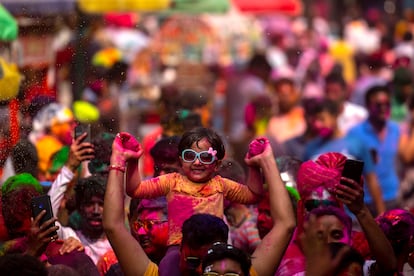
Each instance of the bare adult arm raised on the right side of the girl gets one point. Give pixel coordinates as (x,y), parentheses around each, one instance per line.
(269,252)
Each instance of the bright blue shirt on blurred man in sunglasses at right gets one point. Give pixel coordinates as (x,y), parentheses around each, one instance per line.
(386,152)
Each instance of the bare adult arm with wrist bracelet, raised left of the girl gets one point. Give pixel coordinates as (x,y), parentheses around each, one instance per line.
(129,252)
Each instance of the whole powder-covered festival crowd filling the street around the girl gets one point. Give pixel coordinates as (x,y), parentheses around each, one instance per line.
(240,177)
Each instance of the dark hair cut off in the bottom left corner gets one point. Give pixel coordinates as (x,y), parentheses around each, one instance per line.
(22,265)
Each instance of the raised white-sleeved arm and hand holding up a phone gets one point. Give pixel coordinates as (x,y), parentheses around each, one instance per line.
(79,152)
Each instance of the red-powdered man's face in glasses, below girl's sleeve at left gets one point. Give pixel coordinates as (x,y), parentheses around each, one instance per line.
(150,228)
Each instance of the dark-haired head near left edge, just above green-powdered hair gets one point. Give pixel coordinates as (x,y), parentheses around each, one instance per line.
(24,157)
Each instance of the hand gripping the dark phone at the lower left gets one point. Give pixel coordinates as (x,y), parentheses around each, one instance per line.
(40,236)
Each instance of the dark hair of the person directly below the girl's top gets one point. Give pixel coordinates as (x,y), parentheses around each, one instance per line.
(204,229)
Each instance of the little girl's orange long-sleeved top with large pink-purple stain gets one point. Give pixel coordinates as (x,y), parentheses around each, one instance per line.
(186,198)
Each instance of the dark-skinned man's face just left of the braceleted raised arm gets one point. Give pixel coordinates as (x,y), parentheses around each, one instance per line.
(91,212)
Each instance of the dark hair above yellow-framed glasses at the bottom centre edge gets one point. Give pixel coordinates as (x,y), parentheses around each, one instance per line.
(220,251)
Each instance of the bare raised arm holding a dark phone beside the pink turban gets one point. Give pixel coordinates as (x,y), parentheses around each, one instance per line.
(352,195)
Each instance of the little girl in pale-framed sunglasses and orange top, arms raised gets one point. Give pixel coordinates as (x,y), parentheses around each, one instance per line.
(199,189)
